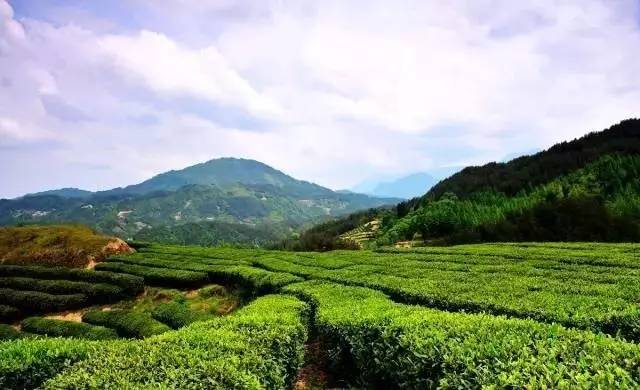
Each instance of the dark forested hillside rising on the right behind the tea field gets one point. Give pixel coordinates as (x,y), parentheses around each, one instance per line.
(587,189)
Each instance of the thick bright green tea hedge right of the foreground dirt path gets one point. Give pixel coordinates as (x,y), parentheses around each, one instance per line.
(391,345)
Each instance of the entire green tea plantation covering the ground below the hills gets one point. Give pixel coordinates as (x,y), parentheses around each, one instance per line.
(494,315)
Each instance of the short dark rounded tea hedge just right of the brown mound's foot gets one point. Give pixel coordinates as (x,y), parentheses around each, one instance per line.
(158,276)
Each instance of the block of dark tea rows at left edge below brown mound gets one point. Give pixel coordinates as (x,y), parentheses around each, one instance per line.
(26,290)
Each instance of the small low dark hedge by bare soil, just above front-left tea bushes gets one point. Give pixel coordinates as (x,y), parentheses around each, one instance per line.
(60,328)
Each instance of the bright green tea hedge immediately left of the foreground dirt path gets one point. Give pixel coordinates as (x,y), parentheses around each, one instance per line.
(259,347)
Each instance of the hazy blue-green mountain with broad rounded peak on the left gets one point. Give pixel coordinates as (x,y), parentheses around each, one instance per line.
(217,195)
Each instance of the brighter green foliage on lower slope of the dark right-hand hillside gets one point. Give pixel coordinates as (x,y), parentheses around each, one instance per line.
(586,205)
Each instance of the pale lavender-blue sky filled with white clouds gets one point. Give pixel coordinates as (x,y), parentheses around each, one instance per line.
(101,94)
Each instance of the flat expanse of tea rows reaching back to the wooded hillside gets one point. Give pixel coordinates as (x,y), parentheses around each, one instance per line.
(587,286)
